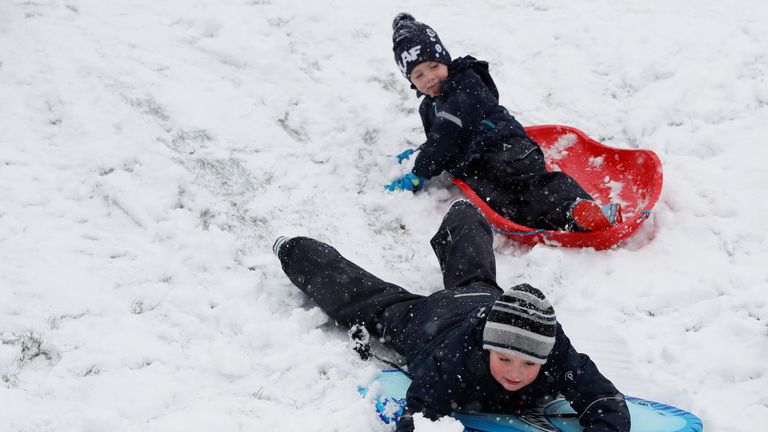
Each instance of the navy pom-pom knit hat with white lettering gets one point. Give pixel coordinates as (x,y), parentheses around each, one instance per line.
(414,43)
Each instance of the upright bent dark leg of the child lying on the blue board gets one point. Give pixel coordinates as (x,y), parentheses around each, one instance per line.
(464,247)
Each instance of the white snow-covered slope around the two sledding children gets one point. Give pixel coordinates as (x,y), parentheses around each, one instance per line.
(150,152)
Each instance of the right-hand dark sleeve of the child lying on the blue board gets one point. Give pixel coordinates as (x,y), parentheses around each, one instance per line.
(601,408)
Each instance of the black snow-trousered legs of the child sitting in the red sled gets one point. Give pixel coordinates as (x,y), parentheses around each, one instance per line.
(522,190)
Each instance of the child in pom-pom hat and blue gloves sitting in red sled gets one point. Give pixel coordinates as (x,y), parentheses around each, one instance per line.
(477,140)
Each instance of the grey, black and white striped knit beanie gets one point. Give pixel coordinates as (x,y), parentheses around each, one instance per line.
(521,323)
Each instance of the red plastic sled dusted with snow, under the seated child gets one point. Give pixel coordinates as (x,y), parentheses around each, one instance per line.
(632,178)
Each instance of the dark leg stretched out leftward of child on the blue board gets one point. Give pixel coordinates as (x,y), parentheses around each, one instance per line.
(346,292)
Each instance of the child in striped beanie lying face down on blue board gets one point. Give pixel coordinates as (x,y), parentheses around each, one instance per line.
(469,347)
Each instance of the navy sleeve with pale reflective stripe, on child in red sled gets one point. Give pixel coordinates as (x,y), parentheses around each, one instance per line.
(464,102)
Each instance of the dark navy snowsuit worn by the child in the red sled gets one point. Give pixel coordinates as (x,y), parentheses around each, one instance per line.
(477,140)
